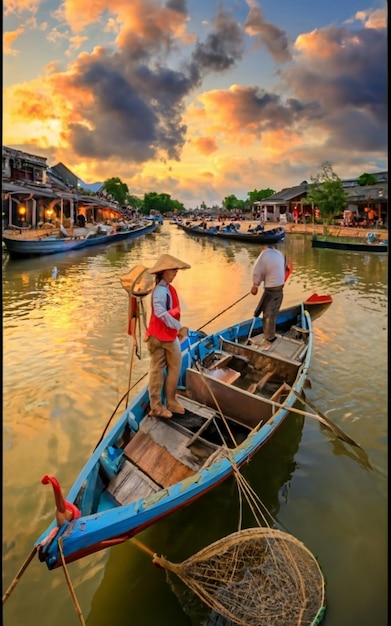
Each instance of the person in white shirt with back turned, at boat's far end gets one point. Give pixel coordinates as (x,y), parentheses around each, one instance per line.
(269,269)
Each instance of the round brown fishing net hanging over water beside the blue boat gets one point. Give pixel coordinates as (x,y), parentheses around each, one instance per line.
(257,576)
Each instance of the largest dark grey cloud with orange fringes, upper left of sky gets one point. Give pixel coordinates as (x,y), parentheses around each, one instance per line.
(130,104)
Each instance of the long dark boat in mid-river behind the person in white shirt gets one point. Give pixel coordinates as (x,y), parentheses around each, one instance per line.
(273,235)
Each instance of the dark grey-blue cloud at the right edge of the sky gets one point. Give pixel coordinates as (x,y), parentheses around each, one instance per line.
(342,69)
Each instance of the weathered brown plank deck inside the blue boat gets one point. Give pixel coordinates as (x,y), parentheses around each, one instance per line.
(224,400)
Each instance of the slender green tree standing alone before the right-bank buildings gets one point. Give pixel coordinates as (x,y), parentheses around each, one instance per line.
(327,193)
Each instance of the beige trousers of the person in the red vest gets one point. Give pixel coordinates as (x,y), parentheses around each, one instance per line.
(164,354)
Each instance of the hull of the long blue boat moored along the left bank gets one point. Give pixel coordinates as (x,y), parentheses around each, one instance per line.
(29,247)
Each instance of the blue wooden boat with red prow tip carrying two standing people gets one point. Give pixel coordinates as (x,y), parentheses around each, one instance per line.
(235,394)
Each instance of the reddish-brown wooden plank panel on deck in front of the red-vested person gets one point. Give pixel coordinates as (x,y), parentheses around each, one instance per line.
(156,461)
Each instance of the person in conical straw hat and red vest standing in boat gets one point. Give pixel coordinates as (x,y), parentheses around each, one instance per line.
(163,336)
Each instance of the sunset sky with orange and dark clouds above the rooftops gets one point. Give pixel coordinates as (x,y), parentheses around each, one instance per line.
(199,99)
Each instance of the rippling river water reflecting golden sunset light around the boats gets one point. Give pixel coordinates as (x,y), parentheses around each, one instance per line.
(66,365)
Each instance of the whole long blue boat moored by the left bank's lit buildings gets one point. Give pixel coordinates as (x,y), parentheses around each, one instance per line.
(46,243)
